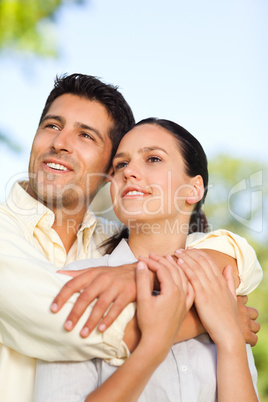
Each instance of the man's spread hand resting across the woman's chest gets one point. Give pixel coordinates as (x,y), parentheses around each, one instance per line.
(111,286)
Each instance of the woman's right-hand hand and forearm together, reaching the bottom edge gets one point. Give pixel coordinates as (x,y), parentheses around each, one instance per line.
(215,301)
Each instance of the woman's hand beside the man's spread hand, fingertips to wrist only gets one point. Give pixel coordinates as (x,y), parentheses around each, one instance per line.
(162,314)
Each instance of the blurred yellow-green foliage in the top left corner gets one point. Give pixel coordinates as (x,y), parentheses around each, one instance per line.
(29,25)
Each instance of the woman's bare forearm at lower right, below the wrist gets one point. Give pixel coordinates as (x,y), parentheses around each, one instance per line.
(233,375)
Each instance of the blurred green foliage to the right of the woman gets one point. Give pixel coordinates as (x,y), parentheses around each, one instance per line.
(238,200)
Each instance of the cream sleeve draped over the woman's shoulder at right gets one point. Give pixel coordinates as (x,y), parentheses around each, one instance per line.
(249,269)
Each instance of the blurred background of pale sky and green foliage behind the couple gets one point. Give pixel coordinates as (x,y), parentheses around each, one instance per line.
(201,64)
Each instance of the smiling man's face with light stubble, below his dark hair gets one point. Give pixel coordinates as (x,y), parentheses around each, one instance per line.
(70,153)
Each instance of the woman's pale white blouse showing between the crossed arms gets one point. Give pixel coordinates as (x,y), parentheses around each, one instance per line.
(188,374)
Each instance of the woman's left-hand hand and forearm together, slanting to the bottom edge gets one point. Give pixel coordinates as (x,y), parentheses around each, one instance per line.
(159,318)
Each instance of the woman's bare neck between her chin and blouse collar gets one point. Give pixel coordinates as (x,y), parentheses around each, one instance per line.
(160,240)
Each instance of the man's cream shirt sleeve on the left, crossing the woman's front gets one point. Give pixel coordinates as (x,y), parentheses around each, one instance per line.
(28,284)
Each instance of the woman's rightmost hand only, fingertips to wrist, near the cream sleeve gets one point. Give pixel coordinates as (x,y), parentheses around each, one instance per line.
(215,297)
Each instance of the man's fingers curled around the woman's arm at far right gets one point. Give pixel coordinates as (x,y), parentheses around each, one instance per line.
(247,319)
